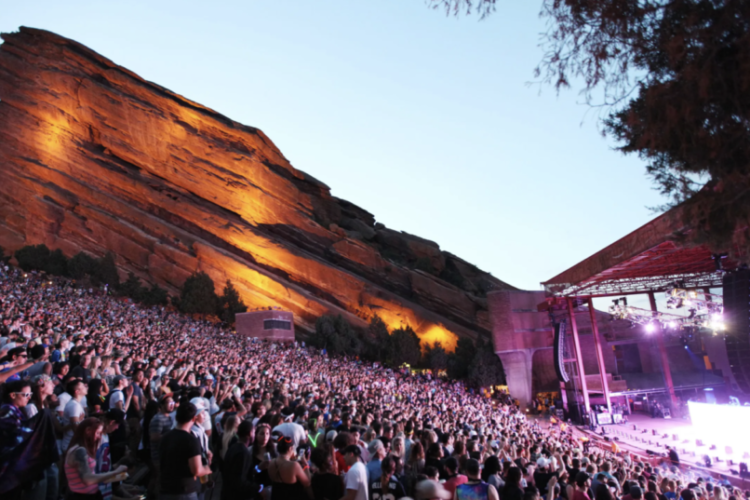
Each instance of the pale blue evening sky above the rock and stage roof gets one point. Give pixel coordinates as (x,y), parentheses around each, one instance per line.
(432,123)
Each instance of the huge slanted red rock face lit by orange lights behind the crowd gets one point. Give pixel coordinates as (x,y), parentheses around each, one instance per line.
(94,158)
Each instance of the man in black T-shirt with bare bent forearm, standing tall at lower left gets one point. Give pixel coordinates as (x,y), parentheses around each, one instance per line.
(180,459)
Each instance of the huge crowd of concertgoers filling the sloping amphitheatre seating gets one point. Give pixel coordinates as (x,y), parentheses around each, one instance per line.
(106,399)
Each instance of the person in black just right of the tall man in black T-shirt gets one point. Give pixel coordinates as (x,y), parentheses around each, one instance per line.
(236,470)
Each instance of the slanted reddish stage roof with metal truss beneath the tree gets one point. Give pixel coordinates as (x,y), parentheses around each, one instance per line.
(650,259)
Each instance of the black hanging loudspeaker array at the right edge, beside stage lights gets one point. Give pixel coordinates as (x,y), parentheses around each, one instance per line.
(736,293)
